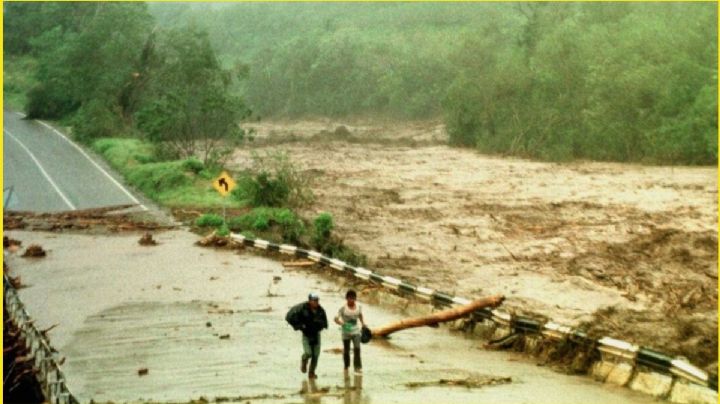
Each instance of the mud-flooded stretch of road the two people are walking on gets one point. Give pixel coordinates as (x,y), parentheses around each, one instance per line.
(208,323)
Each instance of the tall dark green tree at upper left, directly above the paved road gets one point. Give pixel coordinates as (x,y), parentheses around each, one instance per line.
(91,58)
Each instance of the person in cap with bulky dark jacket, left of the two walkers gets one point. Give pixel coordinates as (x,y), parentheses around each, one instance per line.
(310,318)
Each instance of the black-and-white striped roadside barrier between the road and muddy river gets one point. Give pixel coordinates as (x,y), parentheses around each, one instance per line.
(639,356)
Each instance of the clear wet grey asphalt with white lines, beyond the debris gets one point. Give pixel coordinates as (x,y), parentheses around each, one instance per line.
(48,173)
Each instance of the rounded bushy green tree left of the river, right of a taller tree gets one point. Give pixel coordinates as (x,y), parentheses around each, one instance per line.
(185,105)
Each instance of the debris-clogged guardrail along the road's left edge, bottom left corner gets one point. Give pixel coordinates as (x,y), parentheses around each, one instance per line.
(43,356)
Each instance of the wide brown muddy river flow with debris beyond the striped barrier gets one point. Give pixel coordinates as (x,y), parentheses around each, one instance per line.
(624,250)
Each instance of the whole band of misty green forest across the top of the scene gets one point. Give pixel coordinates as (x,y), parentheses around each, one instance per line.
(558,81)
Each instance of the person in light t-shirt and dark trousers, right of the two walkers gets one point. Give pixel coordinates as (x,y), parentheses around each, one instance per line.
(350,318)
